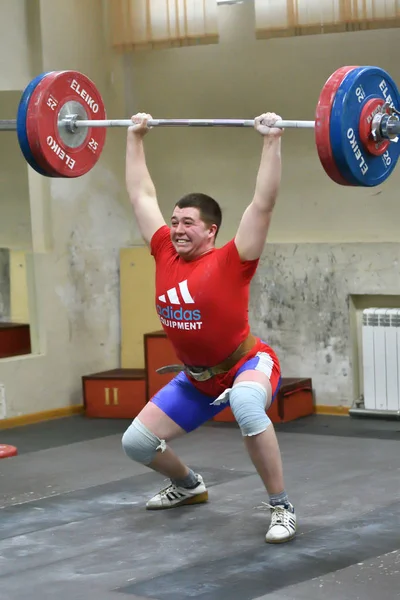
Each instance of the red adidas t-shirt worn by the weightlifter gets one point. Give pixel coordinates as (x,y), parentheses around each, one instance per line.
(202,304)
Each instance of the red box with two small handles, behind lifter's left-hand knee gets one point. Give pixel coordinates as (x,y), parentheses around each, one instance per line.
(115,394)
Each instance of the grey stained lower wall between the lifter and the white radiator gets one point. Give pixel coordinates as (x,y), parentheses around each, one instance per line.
(307,302)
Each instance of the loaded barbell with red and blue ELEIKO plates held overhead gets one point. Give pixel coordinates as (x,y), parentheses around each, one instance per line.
(61,124)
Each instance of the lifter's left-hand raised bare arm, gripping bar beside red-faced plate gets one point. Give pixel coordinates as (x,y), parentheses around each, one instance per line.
(140,187)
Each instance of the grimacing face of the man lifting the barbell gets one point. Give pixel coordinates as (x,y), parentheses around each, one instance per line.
(190,236)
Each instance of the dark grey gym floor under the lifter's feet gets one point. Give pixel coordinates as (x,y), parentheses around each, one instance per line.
(73,524)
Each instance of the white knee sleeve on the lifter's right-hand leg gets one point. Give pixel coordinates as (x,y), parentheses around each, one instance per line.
(248,400)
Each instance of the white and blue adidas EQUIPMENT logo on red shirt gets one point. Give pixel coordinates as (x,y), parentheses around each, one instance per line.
(180,318)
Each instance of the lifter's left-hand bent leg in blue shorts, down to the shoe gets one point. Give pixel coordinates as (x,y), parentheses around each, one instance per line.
(175,410)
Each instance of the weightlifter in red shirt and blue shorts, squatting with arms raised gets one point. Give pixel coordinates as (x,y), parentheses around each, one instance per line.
(202,296)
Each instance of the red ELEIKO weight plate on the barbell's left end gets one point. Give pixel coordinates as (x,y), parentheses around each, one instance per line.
(68,155)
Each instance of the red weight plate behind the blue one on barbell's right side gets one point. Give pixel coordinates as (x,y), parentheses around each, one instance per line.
(322,124)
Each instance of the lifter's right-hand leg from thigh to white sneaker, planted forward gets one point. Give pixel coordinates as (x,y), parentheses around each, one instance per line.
(250,397)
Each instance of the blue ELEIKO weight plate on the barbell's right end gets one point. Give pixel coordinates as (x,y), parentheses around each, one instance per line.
(353,160)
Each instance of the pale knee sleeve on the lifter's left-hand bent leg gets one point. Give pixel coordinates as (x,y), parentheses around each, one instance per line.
(140,444)
